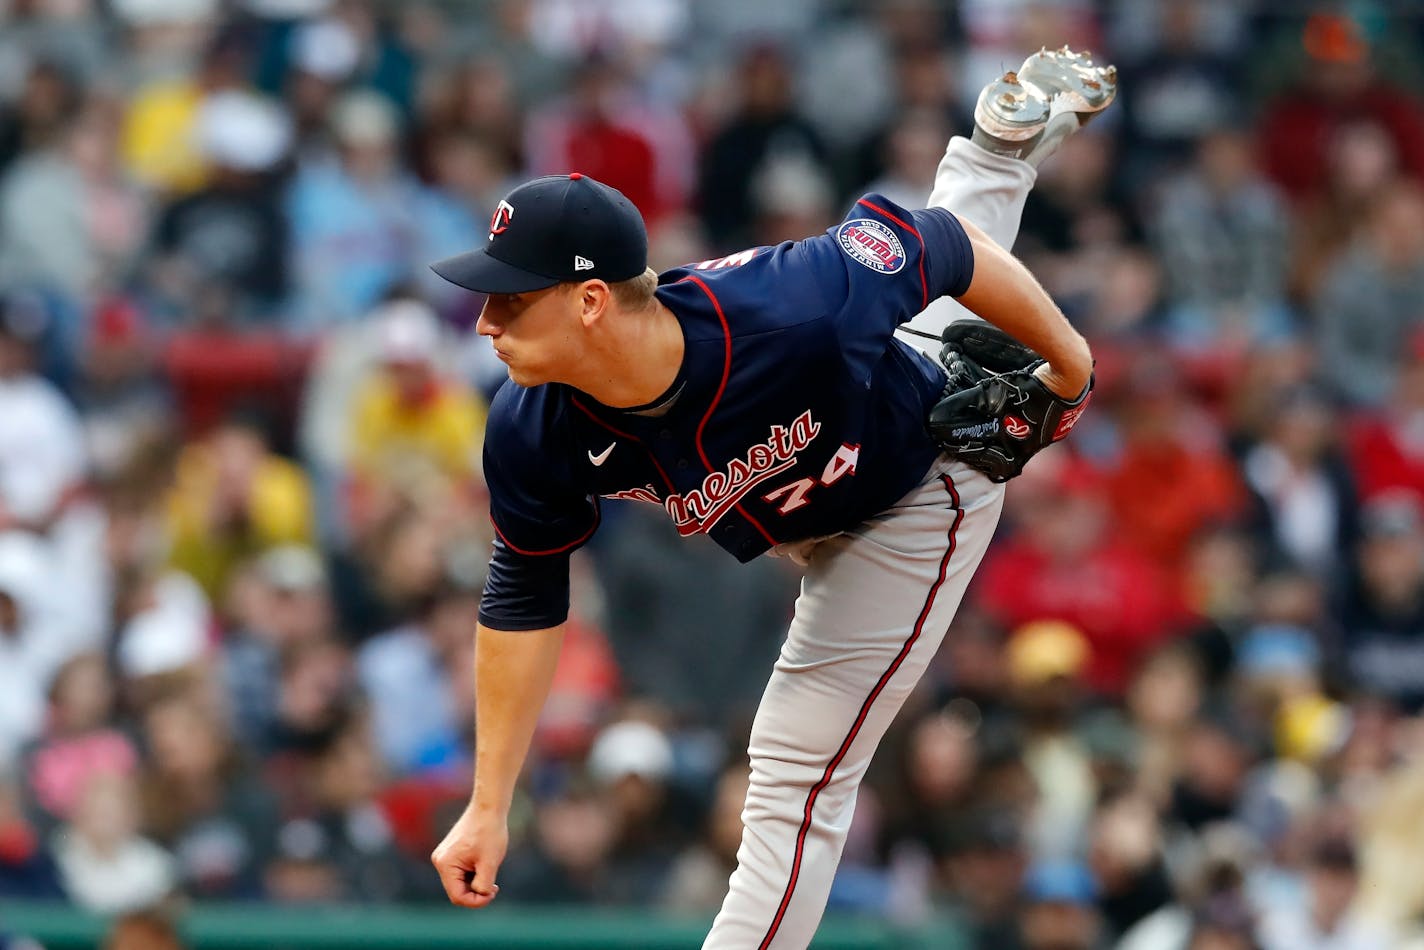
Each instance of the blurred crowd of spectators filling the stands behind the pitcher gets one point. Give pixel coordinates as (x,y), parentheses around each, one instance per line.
(243,525)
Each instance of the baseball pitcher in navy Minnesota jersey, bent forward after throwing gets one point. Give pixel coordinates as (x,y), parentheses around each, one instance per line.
(767,401)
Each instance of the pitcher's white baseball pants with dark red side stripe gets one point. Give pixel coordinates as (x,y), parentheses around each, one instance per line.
(874,607)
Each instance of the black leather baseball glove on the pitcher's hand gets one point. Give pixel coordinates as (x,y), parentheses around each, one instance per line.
(996,415)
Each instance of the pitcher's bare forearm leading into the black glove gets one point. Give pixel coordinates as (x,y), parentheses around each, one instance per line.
(1007,296)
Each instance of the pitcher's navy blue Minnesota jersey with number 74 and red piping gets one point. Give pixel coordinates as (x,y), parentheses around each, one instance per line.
(795,412)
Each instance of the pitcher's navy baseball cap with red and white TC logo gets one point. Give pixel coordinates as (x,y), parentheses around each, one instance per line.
(555,230)
